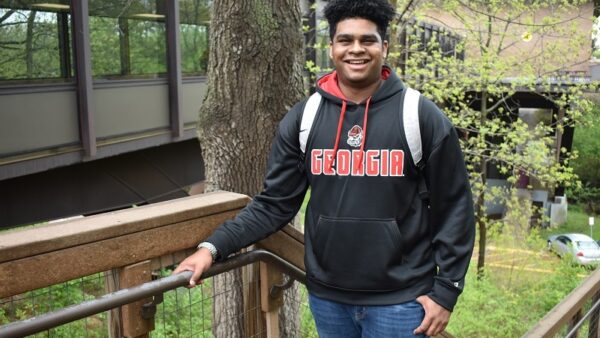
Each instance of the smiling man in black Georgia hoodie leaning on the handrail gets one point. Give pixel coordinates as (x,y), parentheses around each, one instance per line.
(381,260)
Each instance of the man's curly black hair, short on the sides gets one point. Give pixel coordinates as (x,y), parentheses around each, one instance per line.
(380,12)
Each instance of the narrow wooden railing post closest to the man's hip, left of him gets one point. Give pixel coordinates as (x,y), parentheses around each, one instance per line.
(270,276)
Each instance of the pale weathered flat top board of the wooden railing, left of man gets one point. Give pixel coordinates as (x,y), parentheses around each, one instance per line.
(21,243)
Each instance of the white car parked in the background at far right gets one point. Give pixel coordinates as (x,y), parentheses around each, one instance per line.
(582,248)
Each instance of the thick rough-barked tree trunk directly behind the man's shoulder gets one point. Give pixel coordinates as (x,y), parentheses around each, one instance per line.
(254,77)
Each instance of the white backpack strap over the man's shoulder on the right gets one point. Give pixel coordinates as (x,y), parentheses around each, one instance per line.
(412,130)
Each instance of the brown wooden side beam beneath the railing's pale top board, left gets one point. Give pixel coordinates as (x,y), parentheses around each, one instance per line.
(29,273)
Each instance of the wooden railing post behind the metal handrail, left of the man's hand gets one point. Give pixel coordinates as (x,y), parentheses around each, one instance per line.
(133,323)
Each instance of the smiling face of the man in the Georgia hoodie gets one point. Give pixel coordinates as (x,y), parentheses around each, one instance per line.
(358,52)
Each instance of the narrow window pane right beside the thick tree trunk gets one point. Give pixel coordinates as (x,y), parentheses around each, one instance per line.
(194,16)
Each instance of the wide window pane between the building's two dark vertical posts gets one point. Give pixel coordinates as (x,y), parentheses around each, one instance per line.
(128,38)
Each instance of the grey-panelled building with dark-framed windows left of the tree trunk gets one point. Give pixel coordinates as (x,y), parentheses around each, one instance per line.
(98,104)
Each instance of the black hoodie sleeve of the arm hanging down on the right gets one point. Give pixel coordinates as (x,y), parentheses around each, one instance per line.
(451,205)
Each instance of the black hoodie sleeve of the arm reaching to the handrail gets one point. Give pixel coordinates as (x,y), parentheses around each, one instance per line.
(284,188)
